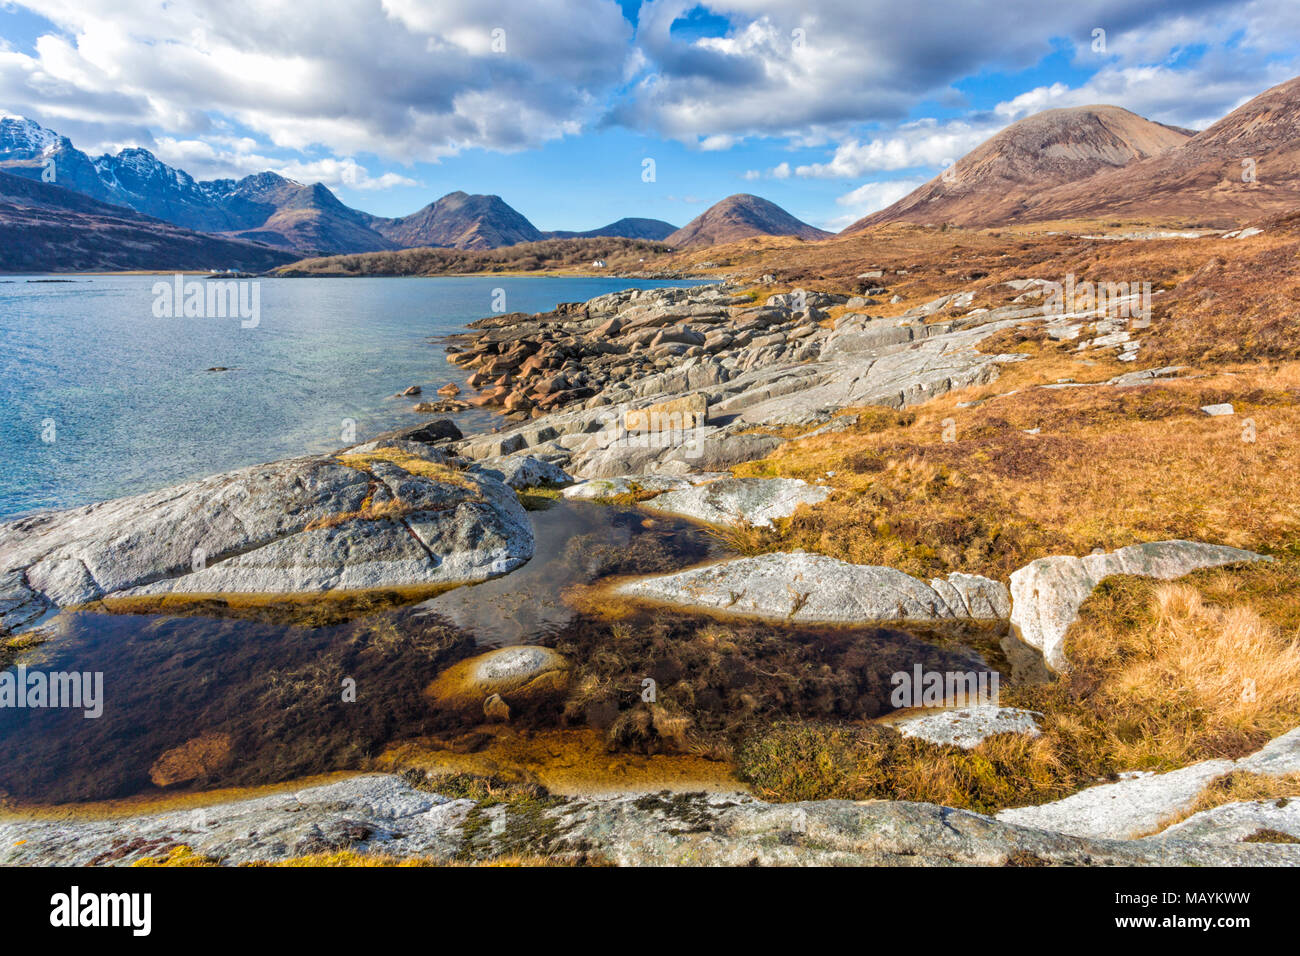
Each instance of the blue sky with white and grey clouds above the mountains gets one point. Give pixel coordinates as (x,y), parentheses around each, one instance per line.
(580,113)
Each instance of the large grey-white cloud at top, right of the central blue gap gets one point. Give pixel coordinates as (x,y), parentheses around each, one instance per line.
(791,67)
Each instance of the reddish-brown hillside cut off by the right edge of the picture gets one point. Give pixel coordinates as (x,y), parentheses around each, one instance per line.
(1203,181)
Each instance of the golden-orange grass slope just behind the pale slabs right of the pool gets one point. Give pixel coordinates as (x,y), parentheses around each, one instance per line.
(1107,469)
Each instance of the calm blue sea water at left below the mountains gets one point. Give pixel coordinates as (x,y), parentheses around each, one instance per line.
(102,399)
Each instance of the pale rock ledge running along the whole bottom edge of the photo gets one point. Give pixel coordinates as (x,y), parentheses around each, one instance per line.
(406,817)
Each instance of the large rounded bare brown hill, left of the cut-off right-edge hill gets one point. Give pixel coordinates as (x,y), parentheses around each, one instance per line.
(999,181)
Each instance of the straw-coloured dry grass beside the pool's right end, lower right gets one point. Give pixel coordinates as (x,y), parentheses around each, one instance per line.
(1159,680)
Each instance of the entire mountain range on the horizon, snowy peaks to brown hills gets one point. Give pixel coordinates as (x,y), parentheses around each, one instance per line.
(1078,163)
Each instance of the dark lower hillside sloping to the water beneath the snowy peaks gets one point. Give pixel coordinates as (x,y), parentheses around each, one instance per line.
(47,228)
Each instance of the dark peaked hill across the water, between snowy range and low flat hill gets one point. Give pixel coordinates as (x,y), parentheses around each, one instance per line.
(462,222)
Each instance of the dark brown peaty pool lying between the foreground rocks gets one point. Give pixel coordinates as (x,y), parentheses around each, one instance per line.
(223,698)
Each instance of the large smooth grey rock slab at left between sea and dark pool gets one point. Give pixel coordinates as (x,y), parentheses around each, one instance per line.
(298,526)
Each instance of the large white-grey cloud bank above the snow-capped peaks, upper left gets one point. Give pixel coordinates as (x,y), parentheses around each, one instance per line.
(410,80)
